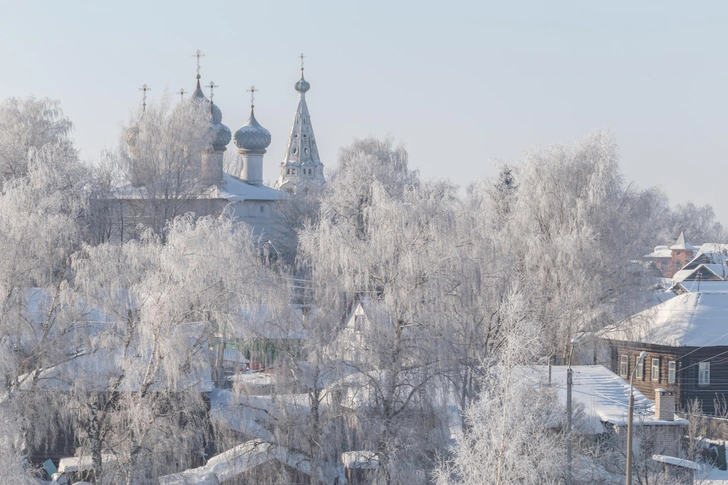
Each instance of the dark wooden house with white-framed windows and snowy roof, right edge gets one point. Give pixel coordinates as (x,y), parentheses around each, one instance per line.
(686,341)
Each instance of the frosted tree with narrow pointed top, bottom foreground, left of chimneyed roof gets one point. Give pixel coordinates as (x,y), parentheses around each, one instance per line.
(513,434)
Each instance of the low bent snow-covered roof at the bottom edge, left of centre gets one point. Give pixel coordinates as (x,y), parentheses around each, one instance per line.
(239,460)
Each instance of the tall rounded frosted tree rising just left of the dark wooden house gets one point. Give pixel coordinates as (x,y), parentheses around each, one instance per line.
(572,232)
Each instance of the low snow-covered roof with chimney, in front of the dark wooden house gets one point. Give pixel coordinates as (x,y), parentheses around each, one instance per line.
(603,397)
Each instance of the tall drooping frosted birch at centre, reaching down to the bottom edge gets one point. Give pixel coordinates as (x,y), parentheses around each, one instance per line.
(383,235)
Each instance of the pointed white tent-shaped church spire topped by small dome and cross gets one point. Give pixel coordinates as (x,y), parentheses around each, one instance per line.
(301,164)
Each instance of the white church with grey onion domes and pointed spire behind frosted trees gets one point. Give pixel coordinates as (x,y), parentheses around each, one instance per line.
(243,193)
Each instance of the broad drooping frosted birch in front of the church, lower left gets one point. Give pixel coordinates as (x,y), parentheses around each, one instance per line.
(164,305)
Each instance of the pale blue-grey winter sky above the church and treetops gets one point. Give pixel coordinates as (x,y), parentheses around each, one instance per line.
(463,84)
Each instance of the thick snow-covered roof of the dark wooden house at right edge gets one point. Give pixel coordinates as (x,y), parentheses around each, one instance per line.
(688,320)
